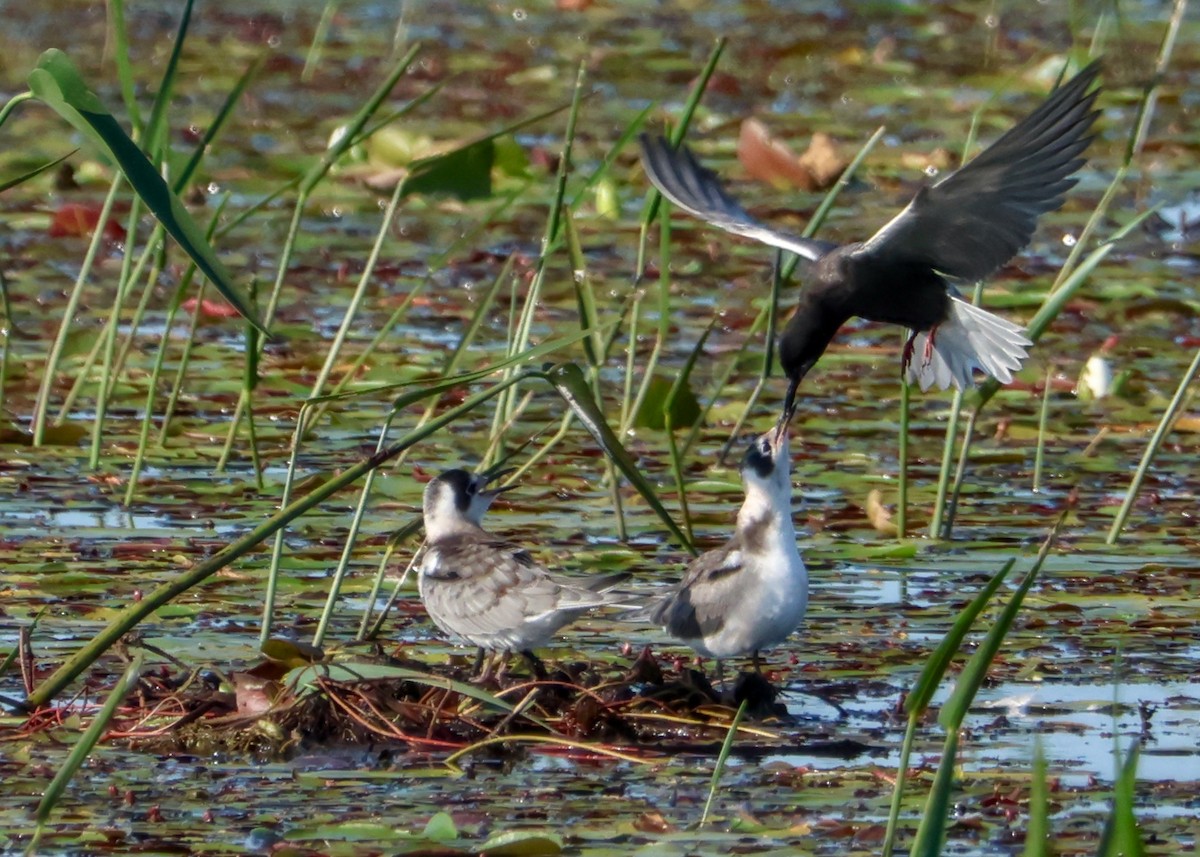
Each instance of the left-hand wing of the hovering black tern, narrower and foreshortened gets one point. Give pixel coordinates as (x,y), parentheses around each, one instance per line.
(695,189)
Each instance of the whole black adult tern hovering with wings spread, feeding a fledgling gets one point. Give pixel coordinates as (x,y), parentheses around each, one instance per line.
(961,229)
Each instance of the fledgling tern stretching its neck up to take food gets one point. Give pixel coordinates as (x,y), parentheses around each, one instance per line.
(751,594)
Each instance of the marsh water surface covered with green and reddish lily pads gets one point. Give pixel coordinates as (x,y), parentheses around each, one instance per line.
(1107,646)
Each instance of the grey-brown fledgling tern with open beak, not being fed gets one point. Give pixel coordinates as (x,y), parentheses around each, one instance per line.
(485,590)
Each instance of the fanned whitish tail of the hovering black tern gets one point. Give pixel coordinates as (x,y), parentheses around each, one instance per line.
(970,339)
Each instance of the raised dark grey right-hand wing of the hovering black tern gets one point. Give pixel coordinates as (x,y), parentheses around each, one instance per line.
(975,220)
